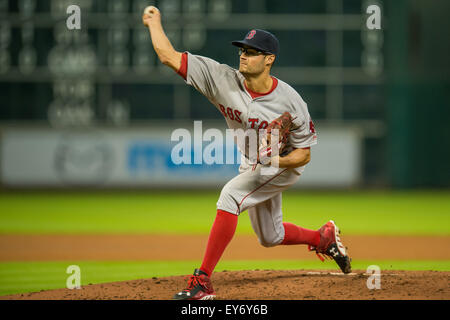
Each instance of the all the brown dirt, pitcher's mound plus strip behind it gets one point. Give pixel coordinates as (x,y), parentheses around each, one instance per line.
(237,285)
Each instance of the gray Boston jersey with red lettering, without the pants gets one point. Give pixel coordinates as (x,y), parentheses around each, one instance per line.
(224,87)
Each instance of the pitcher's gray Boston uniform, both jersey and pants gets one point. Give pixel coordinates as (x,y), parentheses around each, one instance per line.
(260,194)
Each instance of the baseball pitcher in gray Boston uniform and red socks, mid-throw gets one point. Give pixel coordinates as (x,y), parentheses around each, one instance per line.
(251,99)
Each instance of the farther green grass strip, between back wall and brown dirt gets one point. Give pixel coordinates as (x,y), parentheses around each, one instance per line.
(394,213)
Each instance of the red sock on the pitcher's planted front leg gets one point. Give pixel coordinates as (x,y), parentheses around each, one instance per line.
(220,236)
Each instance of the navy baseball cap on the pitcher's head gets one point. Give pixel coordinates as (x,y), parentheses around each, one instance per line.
(260,40)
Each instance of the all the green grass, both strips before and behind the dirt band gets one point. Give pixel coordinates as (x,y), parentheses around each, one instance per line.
(374,212)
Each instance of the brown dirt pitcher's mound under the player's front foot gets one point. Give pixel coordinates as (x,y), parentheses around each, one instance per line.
(269,285)
